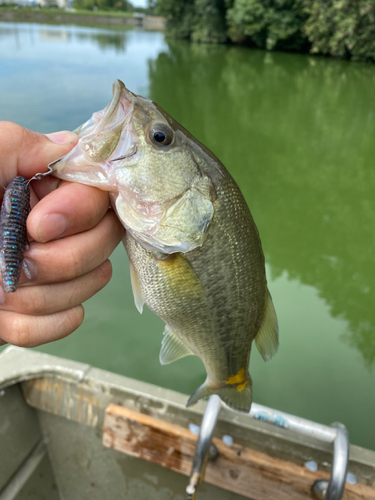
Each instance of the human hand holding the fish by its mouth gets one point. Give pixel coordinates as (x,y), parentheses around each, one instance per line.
(72,233)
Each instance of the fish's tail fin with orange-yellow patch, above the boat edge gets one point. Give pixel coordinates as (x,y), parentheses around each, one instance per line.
(237,397)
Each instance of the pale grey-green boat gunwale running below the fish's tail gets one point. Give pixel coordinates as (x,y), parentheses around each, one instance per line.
(19,365)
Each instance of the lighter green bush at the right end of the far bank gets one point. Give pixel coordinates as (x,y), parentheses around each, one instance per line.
(344,28)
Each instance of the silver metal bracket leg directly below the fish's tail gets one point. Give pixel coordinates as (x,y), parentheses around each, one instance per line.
(203,449)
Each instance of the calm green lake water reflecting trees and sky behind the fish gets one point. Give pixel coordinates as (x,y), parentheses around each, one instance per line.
(297,133)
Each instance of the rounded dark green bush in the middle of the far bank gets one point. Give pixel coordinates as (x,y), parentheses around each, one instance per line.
(268,24)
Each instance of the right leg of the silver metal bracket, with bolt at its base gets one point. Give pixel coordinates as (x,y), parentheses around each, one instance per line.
(334,488)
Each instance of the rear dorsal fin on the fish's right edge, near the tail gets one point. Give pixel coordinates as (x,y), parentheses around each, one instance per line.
(267,339)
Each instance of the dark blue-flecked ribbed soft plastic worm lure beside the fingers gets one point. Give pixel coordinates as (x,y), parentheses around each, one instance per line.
(13,237)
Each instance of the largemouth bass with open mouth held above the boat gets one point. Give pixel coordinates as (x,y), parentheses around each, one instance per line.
(195,254)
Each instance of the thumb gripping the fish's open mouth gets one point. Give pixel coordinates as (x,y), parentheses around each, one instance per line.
(24,152)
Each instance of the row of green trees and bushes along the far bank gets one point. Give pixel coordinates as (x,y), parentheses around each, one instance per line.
(340,28)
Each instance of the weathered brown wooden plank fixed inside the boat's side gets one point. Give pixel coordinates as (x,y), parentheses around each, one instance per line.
(241,470)
